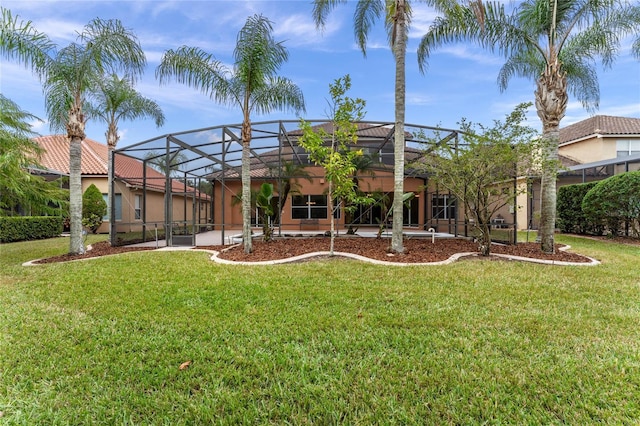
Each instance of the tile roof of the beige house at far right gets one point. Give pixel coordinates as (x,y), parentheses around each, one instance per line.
(600,124)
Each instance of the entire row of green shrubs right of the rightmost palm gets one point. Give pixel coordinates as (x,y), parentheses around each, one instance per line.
(610,205)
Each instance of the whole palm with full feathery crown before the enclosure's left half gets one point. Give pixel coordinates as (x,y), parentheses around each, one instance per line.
(252,85)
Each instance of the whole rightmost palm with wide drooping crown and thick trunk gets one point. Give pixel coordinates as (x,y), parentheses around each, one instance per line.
(553,42)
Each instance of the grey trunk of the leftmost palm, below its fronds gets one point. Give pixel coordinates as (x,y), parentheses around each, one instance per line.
(76,243)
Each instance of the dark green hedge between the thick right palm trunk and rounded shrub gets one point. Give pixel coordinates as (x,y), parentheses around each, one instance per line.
(571,218)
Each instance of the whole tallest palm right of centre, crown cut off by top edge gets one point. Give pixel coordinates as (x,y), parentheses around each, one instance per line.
(397,18)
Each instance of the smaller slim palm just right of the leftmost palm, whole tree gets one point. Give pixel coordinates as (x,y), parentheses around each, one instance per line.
(115,99)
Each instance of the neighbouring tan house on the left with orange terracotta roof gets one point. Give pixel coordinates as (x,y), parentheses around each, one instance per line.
(135,204)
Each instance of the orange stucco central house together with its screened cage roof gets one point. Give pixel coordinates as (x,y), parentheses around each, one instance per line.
(215,154)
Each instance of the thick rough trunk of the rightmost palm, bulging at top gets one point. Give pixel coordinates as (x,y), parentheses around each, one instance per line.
(551,104)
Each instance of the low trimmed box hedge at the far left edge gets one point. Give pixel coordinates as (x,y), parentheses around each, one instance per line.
(25,228)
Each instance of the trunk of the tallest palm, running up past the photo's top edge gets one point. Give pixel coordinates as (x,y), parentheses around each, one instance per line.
(399,50)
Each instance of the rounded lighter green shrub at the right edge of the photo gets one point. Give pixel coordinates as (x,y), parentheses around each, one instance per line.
(615,203)
